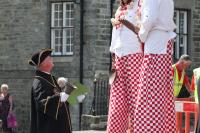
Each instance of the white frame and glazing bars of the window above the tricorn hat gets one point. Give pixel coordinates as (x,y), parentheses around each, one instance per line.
(63,28)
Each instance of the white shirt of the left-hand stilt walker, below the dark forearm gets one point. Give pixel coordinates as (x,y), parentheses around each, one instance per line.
(124,41)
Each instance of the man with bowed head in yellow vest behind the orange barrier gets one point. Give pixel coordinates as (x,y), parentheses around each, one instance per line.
(180,78)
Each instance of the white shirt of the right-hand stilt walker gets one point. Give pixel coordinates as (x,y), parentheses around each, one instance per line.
(157,25)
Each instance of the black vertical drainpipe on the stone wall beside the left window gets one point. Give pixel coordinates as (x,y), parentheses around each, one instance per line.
(81,56)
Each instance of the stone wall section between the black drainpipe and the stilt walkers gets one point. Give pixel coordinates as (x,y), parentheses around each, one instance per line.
(96,42)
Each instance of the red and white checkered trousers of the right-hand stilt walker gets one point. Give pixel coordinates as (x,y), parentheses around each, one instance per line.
(155,108)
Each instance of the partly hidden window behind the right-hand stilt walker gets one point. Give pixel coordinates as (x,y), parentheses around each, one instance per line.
(181,20)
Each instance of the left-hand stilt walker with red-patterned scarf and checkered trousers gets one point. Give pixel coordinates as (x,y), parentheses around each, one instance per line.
(126,49)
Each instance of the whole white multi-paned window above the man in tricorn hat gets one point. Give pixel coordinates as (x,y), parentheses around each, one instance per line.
(62,28)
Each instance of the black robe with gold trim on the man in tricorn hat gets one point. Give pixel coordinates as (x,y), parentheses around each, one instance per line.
(48,114)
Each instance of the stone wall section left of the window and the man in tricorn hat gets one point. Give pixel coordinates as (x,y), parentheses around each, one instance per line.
(22,28)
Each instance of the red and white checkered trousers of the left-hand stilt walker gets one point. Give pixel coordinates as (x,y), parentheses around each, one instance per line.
(123,92)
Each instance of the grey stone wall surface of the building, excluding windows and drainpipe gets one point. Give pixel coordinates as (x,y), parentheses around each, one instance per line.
(25,28)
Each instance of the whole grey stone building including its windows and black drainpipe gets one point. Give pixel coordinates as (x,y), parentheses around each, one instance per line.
(79,31)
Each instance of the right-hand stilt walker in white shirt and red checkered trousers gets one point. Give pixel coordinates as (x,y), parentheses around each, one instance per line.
(155,108)
